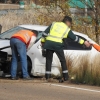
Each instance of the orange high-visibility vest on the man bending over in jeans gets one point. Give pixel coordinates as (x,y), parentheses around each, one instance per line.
(24,35)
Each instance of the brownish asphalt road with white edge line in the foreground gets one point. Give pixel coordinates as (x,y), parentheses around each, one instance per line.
(39,90)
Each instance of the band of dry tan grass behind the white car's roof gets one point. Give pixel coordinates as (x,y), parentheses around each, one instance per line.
(34,16)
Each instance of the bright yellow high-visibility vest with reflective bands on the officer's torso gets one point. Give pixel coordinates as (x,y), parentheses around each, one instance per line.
(58,31)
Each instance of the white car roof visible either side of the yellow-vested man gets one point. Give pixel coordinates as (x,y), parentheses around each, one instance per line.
(42,28)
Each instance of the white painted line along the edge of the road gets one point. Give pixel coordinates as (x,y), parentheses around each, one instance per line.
(76,88)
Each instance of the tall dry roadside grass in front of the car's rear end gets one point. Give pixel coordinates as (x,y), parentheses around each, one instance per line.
(84,70)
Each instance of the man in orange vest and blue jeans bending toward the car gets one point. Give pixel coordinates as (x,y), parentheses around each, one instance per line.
(20,42)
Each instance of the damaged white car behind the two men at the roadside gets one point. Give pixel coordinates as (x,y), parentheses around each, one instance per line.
(36,62)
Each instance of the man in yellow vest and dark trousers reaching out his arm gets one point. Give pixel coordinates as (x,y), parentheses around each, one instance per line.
(53,42)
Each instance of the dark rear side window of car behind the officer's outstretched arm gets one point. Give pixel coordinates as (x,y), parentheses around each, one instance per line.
(72,45)
